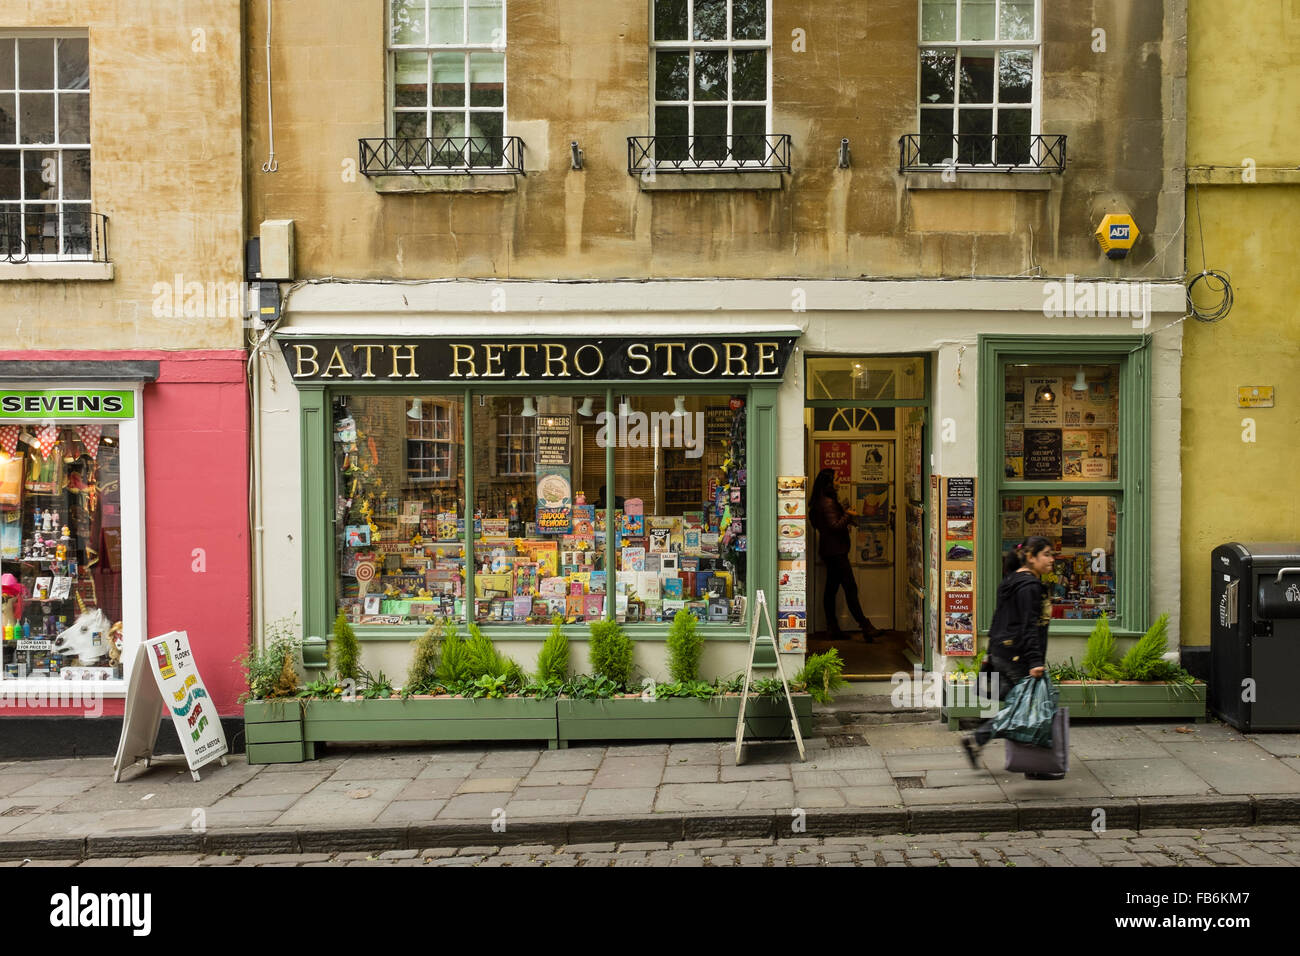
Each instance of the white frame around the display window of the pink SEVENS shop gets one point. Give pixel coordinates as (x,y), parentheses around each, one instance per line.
(131,434)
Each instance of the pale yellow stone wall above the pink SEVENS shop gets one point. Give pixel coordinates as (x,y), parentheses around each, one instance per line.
(167,167)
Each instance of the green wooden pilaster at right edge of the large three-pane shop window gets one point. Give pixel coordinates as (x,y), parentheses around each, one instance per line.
(761,435)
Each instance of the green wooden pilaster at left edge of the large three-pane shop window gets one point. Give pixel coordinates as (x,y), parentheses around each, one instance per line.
(317,544)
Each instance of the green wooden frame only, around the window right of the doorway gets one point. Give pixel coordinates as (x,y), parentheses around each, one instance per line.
(1133,534)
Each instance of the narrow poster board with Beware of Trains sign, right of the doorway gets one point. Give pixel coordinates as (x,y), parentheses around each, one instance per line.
(957,557)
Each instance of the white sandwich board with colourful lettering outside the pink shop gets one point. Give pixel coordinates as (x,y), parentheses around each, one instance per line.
(166,676)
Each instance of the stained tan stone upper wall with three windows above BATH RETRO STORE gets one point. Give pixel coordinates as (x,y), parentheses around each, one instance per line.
(580,71)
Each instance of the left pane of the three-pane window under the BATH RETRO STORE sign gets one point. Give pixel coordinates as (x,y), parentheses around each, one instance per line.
(400,509)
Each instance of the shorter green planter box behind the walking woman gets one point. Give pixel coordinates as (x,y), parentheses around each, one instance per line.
(1132,700)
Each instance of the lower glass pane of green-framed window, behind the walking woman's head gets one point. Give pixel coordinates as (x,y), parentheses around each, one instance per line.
(1082,530)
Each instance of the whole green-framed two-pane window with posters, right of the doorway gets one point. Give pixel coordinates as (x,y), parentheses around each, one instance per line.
(1064,440)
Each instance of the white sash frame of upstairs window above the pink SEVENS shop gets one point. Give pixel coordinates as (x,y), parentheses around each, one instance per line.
(12,85)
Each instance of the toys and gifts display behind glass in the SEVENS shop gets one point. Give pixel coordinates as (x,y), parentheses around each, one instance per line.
(60,551)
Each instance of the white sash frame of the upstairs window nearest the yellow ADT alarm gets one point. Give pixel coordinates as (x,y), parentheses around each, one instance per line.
(985,47)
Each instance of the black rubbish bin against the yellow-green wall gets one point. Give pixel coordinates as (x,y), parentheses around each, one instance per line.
(1255,635)
